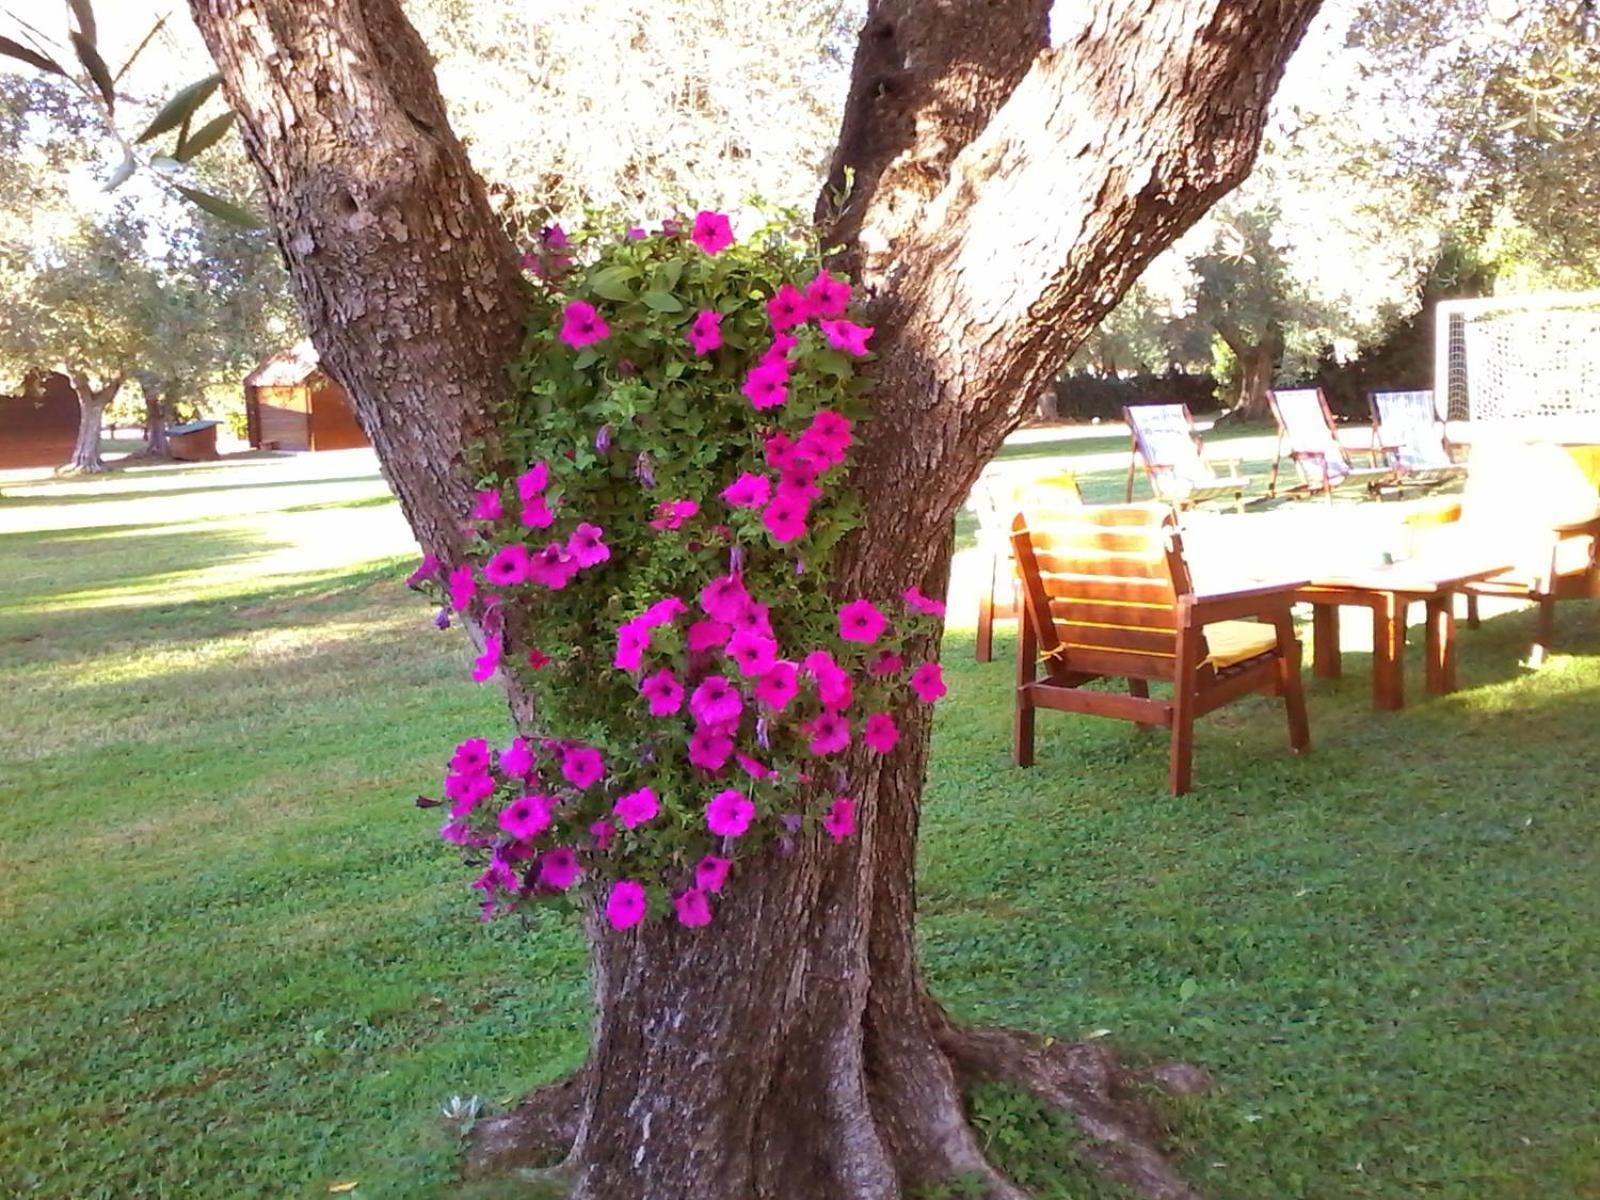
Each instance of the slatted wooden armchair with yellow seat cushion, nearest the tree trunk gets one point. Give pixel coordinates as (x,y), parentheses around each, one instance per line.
(1108,596)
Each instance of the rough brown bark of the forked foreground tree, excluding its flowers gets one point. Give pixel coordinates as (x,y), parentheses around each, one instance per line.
(1002,198)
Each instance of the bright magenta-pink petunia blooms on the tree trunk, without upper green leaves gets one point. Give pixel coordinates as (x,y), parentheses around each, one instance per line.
(740,730)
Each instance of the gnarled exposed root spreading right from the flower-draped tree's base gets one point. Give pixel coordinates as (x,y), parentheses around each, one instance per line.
(1084,1079)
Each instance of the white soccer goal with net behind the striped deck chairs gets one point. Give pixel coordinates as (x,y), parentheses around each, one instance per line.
(1524,364)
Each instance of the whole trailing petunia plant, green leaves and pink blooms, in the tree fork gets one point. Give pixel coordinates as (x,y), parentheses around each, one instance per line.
(654,570)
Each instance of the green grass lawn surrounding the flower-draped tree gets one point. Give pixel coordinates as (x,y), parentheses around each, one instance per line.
(238,964)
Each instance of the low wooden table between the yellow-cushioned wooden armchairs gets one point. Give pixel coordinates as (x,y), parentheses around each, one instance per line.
(1390,593)
